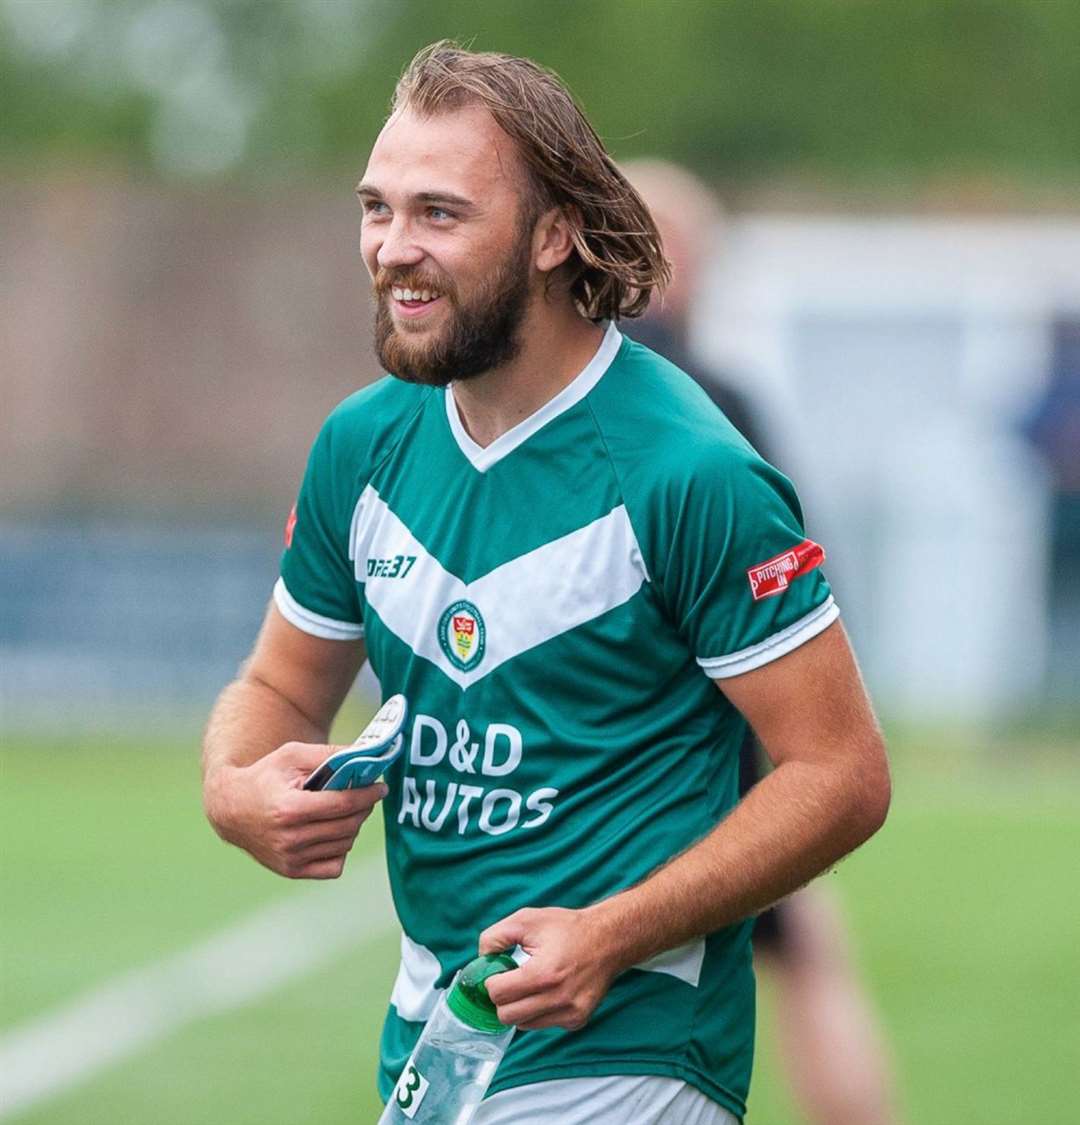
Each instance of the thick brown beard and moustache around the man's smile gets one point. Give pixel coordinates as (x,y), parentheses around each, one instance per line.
(482,335)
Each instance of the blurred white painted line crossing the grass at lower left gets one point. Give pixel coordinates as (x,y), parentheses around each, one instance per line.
(242,964)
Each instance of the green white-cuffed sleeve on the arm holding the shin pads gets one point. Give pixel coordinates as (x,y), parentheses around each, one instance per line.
(318,591)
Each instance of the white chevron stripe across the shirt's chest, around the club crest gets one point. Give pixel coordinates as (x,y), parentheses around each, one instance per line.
(525,602)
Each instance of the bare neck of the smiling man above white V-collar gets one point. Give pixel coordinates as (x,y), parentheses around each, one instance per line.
(557,344)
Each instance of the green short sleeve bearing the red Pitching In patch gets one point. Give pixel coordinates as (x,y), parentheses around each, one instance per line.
(743,581)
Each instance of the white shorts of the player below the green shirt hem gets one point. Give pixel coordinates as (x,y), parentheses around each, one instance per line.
(622,1100)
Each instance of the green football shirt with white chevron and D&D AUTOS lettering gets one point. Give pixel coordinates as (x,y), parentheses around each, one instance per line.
(555,607)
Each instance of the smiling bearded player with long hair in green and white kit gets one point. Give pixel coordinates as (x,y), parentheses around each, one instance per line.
(583,580)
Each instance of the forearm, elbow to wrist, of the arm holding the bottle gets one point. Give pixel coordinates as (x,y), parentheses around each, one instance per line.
(793,826)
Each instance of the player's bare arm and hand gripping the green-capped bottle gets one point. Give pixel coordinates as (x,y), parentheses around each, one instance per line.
(830,791)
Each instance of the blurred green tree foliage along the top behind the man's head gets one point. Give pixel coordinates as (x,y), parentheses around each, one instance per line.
(822,92)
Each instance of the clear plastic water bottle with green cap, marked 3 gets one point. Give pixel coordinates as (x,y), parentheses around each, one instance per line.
(456,1059)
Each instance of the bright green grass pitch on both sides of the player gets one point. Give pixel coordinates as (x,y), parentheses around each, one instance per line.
(965,913)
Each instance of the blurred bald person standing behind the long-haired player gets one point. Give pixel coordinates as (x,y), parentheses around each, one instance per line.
(829,1037)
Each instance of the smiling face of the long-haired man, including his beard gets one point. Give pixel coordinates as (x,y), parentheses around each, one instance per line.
(447,244)
